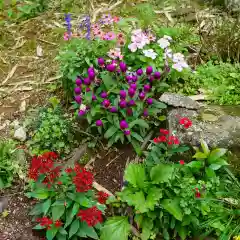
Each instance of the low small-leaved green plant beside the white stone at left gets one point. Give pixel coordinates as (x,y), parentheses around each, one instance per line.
(53,132)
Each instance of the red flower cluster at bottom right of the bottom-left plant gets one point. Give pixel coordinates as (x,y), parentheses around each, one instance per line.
(91,216)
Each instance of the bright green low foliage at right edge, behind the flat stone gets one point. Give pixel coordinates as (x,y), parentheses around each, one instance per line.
(220,82)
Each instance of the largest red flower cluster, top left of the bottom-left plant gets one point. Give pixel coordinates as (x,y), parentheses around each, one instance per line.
(44,164)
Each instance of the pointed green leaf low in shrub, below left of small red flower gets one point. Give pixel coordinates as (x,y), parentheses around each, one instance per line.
(173,207)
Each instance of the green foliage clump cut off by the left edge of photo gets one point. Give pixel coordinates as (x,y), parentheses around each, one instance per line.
(11,163)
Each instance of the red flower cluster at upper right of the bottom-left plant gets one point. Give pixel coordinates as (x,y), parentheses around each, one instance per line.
(83,179)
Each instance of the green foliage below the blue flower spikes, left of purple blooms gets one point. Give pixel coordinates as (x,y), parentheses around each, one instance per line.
(75,57)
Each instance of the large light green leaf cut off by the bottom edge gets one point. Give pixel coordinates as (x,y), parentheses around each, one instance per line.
(116,228)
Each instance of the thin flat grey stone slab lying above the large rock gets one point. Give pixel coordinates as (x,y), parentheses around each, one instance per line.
(176,100)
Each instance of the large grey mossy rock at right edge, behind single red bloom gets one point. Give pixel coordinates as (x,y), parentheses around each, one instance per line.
(212,124)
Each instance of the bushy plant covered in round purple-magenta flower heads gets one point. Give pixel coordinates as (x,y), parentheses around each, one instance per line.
(117,102)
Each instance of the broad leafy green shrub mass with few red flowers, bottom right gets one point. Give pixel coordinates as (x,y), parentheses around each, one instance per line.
(166,199)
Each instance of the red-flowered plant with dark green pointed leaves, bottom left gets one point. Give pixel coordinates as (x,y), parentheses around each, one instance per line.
(68,206)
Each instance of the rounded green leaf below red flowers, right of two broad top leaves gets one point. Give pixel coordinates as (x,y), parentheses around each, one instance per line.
(161,173)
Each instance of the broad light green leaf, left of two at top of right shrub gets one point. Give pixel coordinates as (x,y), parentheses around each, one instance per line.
(135,174)
